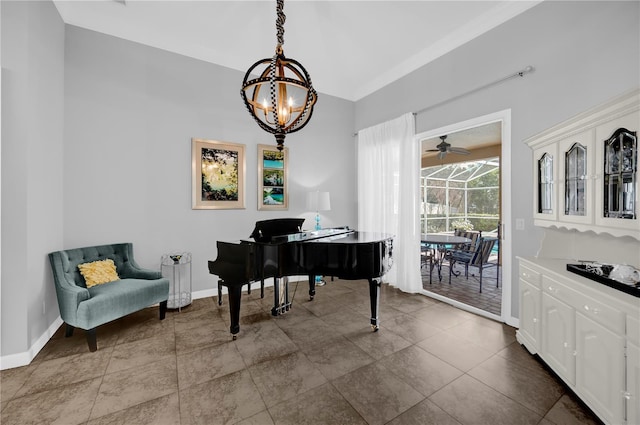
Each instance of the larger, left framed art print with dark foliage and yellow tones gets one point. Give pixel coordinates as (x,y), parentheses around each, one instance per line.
(218,174)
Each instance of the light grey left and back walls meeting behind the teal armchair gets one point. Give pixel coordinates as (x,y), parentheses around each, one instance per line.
(96,148)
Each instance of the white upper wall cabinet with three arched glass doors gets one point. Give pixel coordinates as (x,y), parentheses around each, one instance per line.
(585,170)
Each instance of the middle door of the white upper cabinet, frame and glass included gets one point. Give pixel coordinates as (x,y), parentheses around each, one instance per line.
(576,176)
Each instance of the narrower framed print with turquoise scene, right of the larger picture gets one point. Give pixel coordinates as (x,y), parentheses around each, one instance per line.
(272,178)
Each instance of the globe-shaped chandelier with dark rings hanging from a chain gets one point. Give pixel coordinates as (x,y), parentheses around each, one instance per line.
(281,98)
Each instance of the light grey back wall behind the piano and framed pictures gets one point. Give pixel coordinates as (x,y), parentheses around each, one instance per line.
(130,114)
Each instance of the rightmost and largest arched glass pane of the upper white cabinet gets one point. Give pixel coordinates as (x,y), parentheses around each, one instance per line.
(620,173)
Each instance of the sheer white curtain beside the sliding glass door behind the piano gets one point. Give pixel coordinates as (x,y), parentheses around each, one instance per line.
(389,193)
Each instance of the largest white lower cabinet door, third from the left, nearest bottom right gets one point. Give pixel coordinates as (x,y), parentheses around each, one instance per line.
(600,369)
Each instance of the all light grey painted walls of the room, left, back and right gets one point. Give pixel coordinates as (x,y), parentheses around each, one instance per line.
(120,170)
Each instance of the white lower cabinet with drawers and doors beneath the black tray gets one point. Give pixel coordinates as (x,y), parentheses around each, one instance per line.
(587,333)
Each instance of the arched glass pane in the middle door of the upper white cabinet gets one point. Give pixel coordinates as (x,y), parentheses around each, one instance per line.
(575,180)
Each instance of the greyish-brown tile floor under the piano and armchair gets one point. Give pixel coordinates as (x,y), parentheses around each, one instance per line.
(318,364)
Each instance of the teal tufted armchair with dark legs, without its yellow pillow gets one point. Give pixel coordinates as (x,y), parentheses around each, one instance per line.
(88,308)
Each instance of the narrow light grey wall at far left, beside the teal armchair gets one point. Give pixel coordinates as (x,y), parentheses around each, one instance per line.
(32,140)
